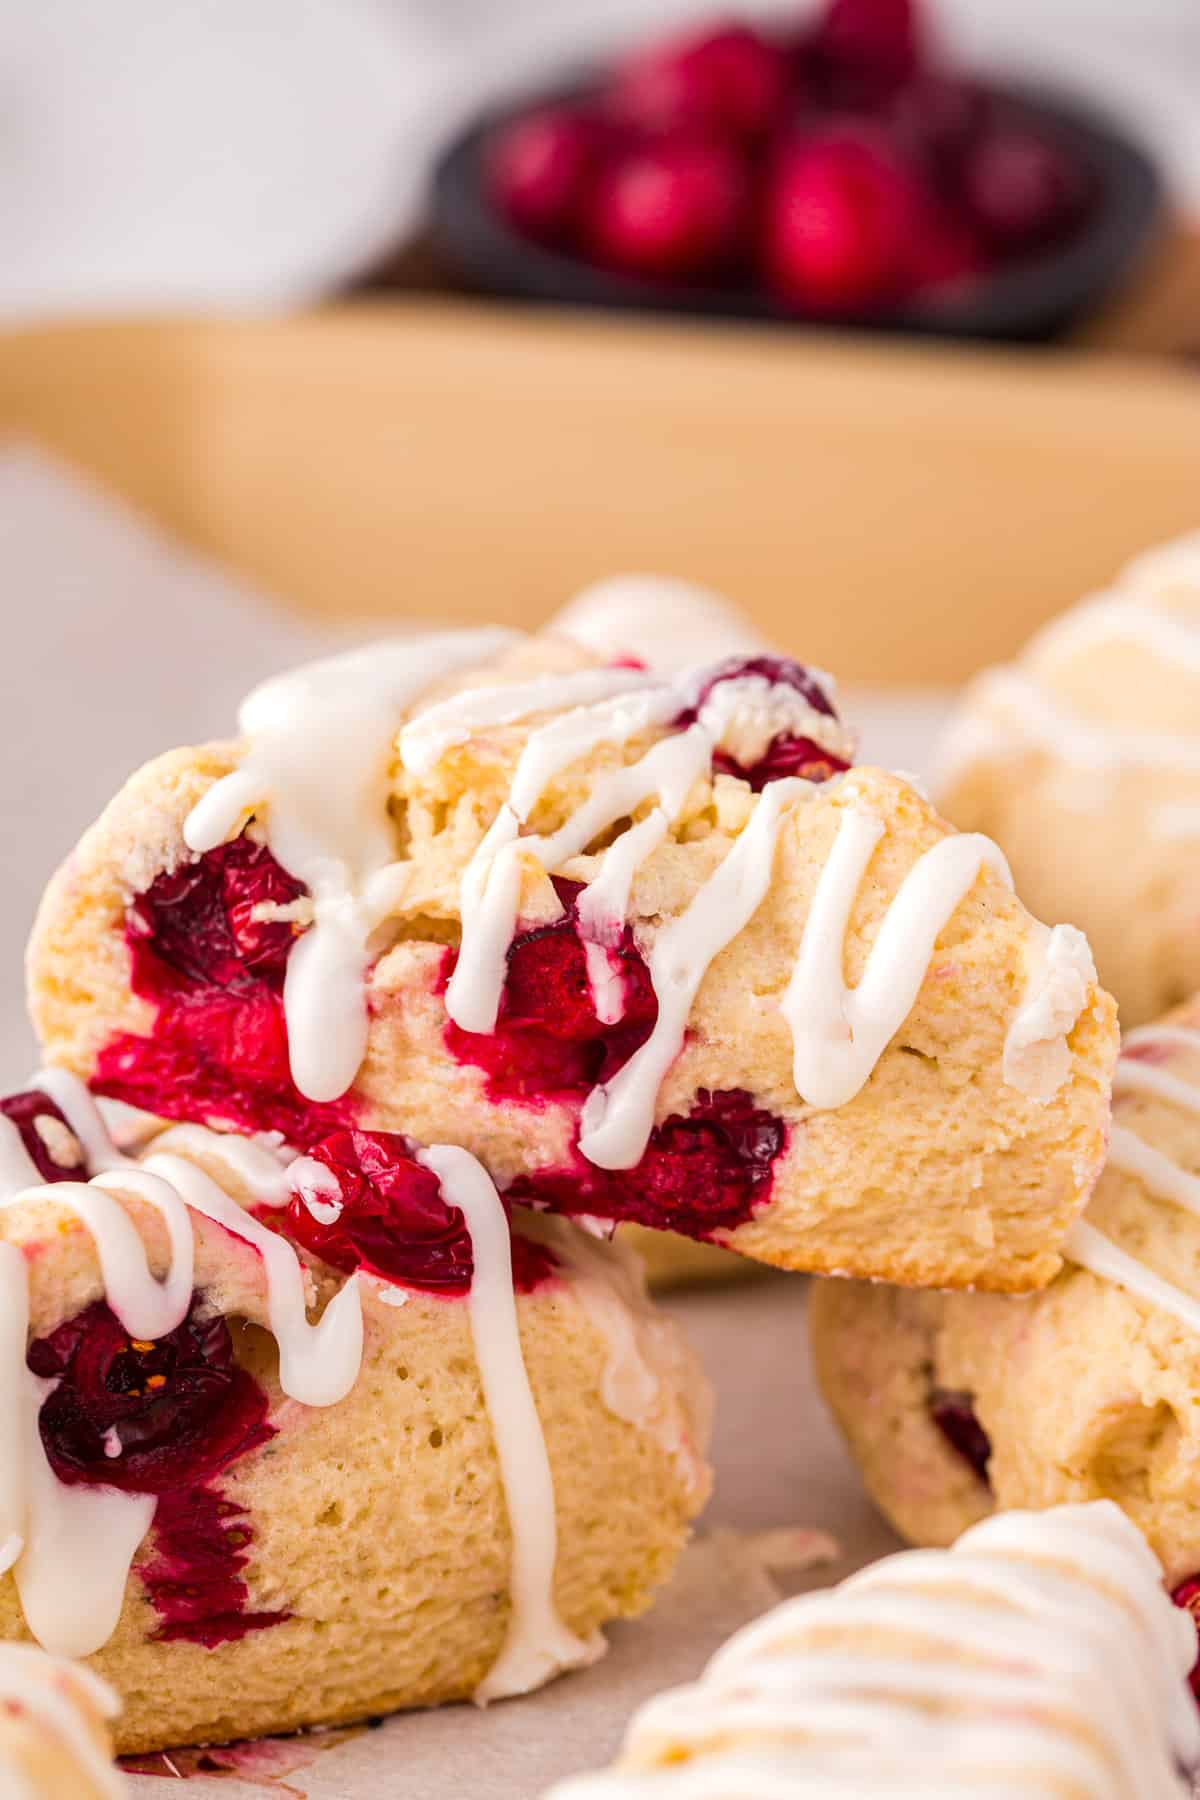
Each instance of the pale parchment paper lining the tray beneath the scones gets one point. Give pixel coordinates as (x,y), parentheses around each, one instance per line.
(121,645)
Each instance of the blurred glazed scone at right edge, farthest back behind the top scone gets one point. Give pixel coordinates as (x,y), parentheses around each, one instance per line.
(1084,762)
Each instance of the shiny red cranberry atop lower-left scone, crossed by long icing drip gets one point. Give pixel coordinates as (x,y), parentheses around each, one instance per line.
(395,1221)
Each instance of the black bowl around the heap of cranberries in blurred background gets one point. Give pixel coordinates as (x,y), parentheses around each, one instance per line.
(1026,301)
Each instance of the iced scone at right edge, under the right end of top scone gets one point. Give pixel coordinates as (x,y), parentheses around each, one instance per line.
(956,1405)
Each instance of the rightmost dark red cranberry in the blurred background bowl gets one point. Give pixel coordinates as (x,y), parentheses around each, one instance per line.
(1021,188)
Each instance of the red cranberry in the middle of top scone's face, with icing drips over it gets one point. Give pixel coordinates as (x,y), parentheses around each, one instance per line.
(548,1039)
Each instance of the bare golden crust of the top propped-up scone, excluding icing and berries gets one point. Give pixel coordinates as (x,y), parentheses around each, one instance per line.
(936,1171)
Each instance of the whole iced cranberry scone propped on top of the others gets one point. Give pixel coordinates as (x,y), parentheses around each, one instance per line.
(650,949)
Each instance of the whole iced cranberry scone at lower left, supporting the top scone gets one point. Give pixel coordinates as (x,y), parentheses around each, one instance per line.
(298,1441)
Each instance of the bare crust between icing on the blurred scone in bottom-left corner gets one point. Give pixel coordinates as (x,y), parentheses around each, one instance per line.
(33,1752)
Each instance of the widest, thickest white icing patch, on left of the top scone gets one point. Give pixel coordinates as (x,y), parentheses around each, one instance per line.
(316,769)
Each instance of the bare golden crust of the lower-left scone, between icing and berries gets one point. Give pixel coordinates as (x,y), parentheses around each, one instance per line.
(381,1524)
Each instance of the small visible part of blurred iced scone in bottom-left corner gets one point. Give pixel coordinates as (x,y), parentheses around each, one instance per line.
(55,1729)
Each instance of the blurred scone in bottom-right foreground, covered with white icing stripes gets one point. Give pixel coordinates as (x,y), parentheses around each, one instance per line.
(1041,1659)
